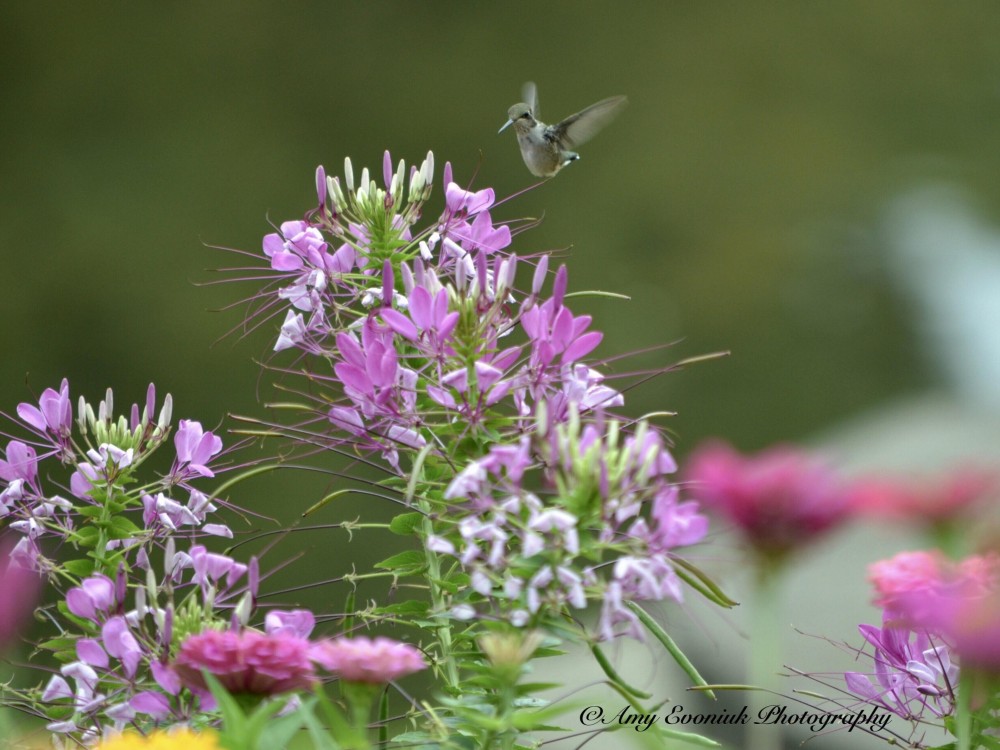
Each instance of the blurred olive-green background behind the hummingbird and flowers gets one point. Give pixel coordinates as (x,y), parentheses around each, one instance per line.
(739,200)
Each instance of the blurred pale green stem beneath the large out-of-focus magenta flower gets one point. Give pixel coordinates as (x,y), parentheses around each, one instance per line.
(765,654)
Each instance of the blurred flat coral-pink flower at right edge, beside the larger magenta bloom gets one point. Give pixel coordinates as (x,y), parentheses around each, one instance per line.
(926,501)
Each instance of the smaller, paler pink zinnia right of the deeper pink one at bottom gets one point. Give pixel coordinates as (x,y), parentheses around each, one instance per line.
(364,660)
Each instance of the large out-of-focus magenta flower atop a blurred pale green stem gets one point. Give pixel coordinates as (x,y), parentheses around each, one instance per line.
(781,498)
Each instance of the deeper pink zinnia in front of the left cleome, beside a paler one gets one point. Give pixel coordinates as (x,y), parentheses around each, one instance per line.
(247,662)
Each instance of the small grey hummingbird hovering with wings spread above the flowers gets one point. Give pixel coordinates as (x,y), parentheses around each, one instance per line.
(547,148)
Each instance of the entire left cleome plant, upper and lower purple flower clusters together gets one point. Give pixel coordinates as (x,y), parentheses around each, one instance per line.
(120,617)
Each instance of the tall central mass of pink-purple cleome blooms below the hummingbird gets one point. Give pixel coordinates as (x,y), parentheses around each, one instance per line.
(426,348)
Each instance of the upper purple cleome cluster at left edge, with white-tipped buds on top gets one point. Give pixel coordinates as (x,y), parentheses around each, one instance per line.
(102,456)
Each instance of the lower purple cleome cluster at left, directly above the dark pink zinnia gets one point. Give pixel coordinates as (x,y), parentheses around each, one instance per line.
(125,662)
